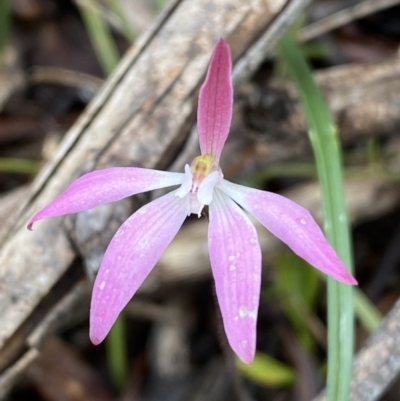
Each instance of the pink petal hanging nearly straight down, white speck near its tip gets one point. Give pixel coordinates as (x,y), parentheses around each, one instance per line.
(236,263)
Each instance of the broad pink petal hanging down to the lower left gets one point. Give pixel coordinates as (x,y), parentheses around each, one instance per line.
(131,255)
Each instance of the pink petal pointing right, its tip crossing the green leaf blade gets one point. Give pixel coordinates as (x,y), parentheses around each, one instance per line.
(292,224)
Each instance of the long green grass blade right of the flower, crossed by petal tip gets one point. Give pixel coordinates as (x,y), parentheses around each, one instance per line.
(323,137)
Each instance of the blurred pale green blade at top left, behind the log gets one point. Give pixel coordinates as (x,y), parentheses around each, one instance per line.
(100,35)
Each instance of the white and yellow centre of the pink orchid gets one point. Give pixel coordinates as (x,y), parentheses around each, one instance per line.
(199,183)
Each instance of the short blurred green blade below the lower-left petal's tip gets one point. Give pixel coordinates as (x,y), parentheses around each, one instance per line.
(117,354)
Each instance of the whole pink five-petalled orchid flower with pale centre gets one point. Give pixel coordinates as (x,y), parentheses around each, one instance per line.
(234,248)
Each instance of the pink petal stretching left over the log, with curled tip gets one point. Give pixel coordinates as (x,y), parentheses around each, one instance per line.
(103,186)
